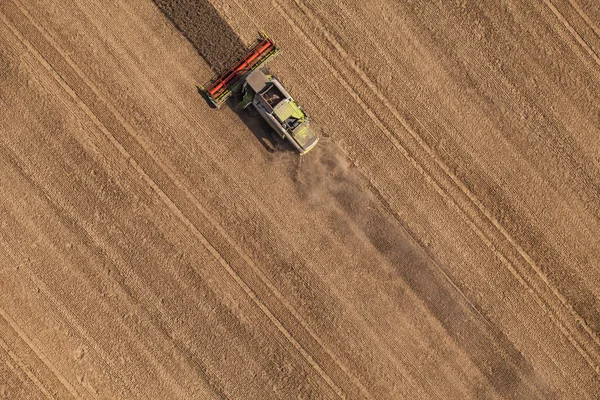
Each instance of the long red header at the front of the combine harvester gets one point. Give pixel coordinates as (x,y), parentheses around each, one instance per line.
(219,90)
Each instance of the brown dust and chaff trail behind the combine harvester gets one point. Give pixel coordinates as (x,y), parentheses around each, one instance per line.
(326,179)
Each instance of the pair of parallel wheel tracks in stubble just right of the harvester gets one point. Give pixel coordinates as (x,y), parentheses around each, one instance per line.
(521,277)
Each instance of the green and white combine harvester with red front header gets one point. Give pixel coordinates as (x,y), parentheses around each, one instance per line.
(266,94)
